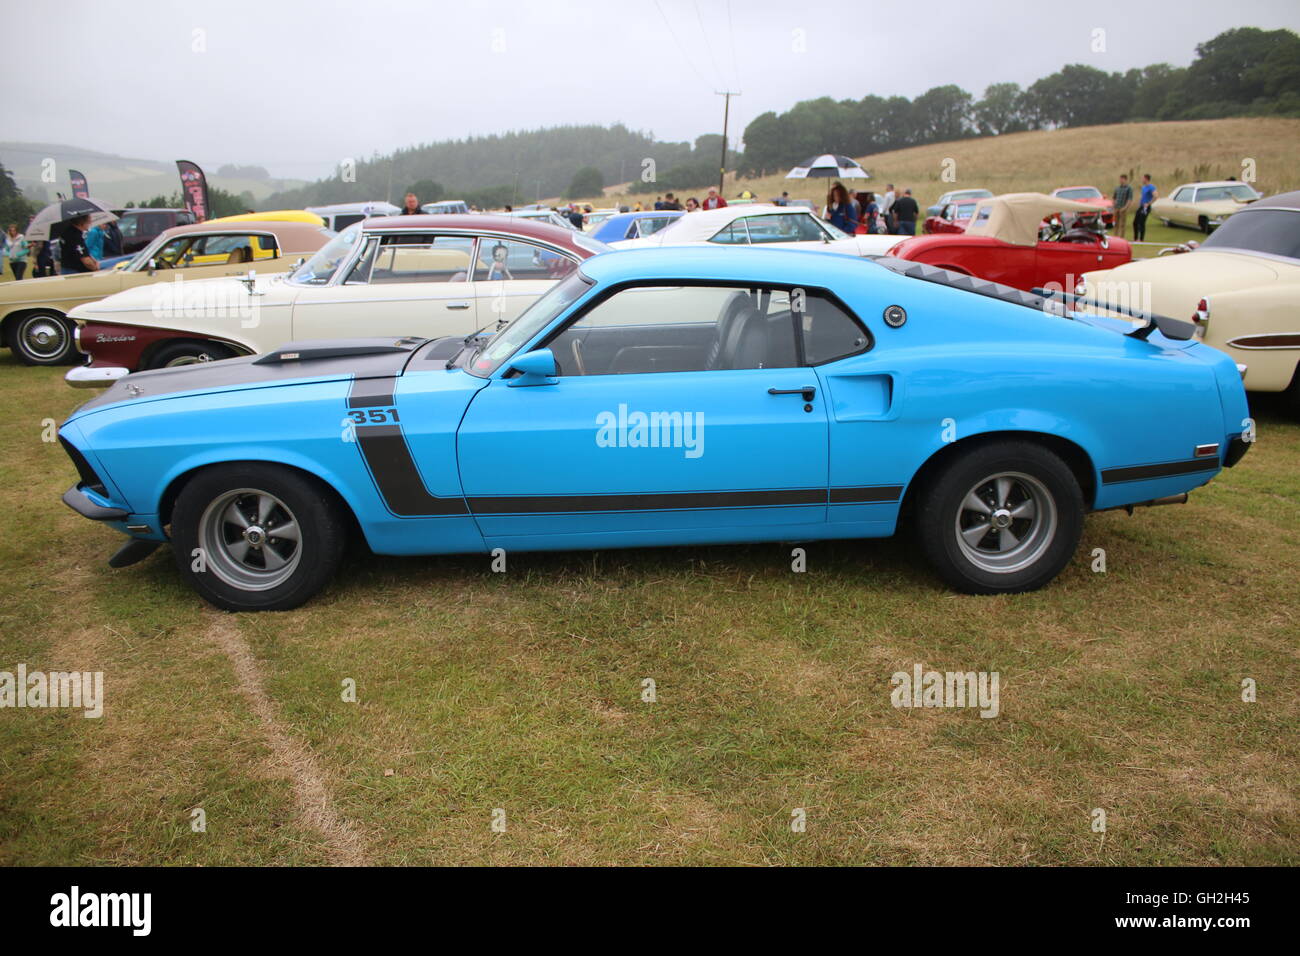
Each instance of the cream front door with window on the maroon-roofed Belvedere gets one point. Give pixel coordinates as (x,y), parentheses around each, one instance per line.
(401,284)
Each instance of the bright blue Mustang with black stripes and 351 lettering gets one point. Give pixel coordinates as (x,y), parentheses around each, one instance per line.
(669,397)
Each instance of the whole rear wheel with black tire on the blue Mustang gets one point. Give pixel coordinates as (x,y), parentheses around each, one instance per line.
(1039,485)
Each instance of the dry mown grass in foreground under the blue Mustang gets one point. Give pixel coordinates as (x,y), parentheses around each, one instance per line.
(523,693)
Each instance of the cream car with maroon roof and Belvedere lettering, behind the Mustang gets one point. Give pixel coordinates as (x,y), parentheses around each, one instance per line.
(395,276)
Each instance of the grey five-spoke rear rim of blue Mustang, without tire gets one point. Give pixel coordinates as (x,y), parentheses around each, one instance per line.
(1007,522)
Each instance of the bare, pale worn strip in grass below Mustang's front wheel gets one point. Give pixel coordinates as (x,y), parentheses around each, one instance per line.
(311,795)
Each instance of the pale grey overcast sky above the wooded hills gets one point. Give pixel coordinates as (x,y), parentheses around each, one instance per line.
(298,86)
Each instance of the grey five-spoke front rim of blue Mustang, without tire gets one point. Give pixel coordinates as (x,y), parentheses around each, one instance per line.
(250,539)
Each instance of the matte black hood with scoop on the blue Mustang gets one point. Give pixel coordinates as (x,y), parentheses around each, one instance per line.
(297,364)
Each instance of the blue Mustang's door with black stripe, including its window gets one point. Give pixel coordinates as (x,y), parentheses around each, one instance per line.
(679,414)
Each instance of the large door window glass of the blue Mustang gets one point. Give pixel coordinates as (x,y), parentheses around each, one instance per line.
(679,330)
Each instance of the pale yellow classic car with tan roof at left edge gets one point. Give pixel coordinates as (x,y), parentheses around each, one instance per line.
(34,313)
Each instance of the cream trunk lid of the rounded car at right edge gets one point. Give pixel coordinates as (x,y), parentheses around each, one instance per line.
(1177,283)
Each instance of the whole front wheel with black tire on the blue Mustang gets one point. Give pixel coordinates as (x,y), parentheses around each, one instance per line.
(248,579)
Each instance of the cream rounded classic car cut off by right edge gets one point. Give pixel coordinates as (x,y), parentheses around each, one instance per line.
(1241,287)
